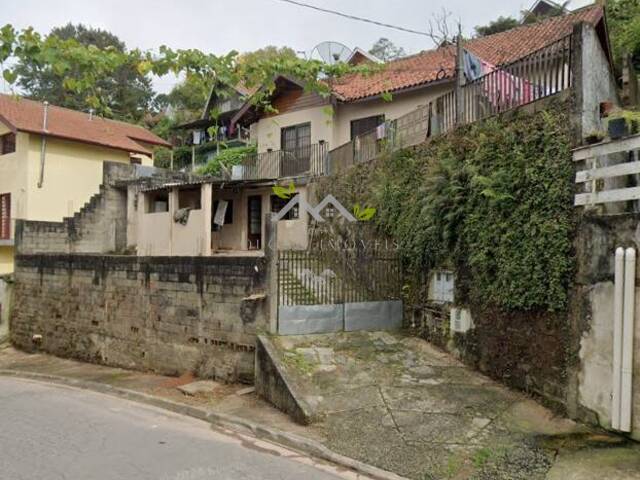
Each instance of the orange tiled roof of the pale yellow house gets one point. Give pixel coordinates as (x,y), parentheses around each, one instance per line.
(27,115)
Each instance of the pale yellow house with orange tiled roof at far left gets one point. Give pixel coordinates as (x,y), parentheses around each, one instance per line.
(51,162)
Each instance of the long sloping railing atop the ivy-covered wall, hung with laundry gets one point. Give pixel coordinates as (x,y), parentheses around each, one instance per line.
(541,74)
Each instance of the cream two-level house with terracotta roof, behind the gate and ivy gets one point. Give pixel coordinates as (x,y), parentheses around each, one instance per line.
(297,143)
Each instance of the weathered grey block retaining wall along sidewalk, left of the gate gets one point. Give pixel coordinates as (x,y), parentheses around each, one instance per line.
(166,314)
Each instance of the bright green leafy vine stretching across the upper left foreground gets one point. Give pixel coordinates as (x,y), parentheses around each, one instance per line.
(83,68)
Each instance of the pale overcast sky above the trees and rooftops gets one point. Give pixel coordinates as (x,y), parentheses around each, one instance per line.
(222,25)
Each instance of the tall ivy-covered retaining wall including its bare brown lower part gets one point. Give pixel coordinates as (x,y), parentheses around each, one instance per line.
(493,202)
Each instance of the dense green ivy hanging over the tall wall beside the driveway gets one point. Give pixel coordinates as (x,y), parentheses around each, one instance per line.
(492,200)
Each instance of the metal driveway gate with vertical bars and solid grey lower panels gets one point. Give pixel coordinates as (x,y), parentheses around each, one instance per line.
(329,291)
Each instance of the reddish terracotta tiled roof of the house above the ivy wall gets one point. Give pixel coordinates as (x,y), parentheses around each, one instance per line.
(439,64)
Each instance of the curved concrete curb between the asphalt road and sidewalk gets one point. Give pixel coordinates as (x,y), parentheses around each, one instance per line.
(220,420)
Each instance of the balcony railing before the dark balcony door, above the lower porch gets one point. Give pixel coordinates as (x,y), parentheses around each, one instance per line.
(310,160)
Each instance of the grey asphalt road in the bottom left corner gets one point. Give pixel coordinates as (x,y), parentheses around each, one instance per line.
(52,432)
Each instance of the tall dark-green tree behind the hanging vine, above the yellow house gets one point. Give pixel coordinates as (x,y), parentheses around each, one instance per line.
(128,93)
